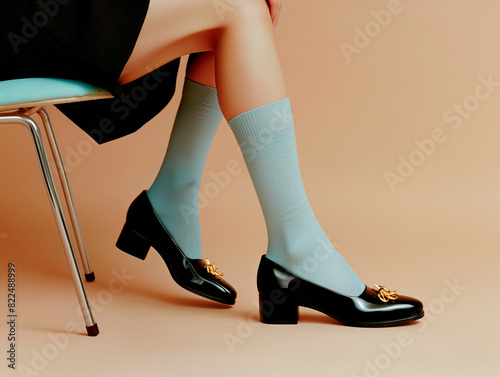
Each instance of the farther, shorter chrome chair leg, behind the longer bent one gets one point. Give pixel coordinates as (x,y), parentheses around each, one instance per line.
(75,223)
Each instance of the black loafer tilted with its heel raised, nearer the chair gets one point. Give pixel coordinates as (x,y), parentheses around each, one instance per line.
(144,229)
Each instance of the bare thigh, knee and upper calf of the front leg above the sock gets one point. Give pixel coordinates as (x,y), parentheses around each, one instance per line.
(242,39)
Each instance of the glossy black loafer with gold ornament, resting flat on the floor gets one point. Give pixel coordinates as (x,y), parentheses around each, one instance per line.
(281,293)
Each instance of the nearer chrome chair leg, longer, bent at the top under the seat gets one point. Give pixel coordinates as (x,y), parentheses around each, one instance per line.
(91,325)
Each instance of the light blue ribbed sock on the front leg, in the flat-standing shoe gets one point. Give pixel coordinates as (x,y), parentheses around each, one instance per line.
(296,240)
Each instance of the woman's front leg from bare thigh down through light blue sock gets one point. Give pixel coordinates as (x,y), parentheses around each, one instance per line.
(252,96)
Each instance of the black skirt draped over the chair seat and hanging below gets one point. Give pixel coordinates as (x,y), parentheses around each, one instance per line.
(91,41)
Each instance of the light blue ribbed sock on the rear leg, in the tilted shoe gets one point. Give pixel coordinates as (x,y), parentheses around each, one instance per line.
(174,193)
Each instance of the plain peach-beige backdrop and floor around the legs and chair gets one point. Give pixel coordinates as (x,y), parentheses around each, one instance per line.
(438,228)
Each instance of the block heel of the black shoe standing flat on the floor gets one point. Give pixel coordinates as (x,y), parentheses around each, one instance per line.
(278,308)
